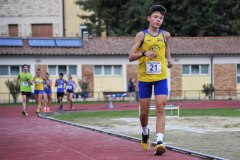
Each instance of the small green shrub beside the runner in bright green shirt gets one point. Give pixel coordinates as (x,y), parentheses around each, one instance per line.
(13,88)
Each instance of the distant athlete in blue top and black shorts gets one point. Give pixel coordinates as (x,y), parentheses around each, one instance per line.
(60,83)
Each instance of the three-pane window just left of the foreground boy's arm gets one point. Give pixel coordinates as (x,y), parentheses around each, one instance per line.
(108,70)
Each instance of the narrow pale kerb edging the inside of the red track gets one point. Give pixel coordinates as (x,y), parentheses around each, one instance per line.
(169,147)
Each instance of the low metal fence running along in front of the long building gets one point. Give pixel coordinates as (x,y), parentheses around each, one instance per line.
(123,96)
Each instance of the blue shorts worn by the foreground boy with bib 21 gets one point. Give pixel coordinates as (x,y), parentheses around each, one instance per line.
(145,88)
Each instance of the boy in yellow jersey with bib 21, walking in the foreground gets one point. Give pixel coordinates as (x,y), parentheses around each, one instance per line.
(151,49)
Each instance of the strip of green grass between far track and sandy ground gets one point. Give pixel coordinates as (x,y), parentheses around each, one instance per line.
(127,114)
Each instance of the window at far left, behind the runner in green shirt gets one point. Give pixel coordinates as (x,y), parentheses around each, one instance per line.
(6,70)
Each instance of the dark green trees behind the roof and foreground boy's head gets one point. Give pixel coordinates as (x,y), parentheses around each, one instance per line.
(184,18)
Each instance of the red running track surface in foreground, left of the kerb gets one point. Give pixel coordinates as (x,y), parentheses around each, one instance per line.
(33,138)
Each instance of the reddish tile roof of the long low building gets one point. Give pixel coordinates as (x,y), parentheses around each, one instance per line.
(122,46)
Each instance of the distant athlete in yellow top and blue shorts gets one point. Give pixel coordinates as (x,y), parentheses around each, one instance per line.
(38,92)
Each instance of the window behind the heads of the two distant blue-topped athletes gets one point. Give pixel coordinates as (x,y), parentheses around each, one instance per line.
(55,70)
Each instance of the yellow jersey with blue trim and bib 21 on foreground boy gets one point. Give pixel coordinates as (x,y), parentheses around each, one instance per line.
(151,70)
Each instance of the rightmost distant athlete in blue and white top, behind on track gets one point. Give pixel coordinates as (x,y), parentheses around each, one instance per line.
(71,85)
